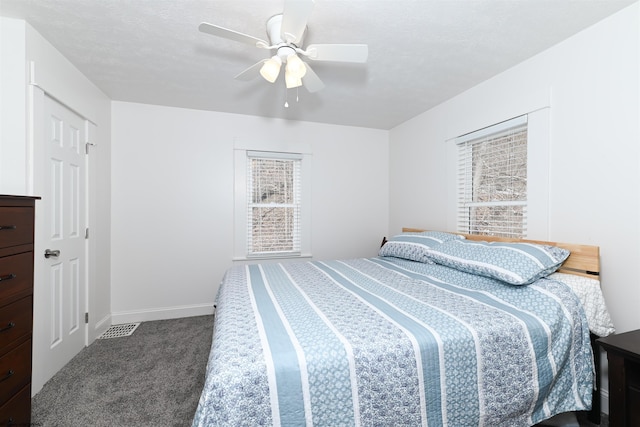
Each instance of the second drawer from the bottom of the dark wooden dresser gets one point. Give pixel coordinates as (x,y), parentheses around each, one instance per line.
(15,370)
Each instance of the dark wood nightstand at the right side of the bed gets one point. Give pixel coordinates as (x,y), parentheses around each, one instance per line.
(623,354)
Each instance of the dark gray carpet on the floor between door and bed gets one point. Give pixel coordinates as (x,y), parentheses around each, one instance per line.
(153,378)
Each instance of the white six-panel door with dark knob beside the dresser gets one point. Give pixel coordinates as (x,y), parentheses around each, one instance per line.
(64,208)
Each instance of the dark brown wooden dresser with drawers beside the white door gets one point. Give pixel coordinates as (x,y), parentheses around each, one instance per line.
(16,308)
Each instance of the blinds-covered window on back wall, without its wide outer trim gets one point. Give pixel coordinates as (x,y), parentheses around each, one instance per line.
(273,215)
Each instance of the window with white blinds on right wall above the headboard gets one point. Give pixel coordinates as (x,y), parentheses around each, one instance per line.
(492,180)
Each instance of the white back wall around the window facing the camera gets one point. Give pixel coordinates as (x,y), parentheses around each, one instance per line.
(172,200)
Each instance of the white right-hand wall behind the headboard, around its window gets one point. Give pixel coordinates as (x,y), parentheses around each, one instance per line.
(591,83)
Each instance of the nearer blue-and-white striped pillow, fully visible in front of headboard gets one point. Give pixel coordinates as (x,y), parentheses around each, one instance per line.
(514,263)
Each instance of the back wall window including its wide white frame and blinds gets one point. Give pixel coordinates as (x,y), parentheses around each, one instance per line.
(272,202)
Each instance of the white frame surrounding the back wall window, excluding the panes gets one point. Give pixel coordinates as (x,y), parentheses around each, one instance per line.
(241,201)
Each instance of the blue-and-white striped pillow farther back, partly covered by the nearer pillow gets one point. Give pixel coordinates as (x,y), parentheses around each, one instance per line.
(415,246)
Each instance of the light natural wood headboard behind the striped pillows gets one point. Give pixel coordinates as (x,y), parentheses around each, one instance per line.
(584,260)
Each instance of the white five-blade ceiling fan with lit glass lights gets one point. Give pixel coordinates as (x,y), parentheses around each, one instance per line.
(286,33)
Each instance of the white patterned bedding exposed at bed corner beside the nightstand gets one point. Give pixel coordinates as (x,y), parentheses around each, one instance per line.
(590,295)
